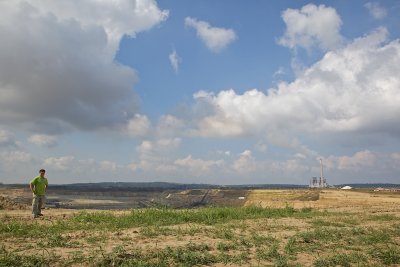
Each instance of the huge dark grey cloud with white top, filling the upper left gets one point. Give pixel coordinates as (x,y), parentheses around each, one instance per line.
(58,67)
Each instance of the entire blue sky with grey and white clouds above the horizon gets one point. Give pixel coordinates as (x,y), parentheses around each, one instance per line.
(202,91)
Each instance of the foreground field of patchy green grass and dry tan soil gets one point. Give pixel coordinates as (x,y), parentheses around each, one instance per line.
(273,228)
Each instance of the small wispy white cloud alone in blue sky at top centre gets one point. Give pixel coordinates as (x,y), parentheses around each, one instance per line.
(216,39)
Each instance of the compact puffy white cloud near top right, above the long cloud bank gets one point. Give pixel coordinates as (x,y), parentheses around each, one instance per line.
(312,26)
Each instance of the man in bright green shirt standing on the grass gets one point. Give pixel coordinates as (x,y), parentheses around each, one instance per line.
(38,187)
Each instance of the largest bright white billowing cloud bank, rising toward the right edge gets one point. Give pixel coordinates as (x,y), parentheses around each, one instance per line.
(354,89)
